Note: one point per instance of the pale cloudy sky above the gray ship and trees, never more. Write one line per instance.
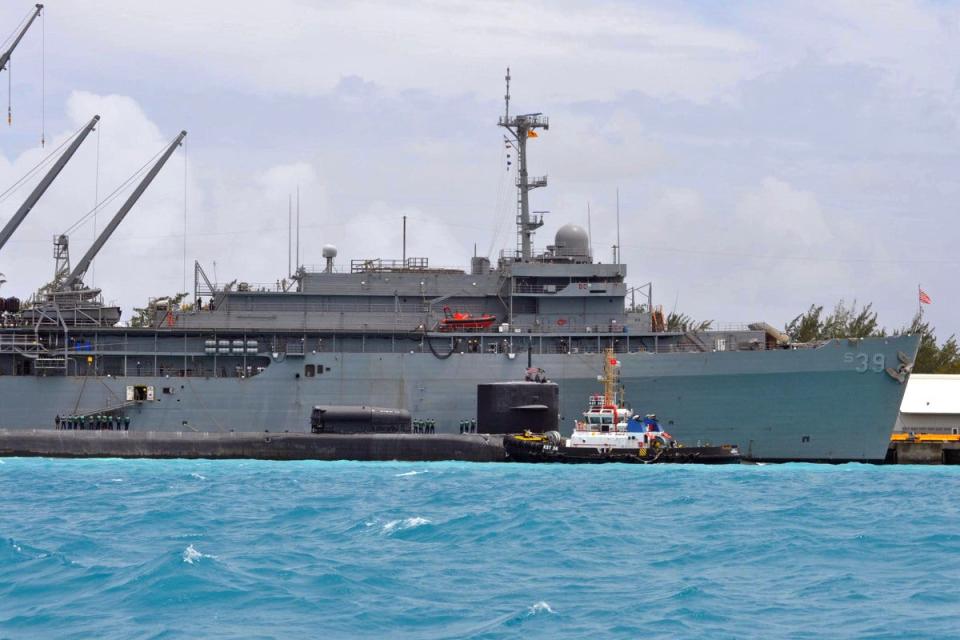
(768, 156)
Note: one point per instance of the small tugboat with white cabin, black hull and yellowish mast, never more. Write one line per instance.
(610, 432)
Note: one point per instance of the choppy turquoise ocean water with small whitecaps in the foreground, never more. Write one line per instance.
(247, 549)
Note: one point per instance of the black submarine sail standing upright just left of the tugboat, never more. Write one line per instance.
(513, 407)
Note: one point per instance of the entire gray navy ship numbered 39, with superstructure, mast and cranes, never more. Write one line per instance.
(402, 333)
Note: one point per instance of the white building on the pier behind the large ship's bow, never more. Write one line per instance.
(931, 404)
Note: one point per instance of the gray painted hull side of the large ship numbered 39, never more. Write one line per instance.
(833, 403)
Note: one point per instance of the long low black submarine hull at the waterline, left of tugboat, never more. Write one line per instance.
(252, 445)
